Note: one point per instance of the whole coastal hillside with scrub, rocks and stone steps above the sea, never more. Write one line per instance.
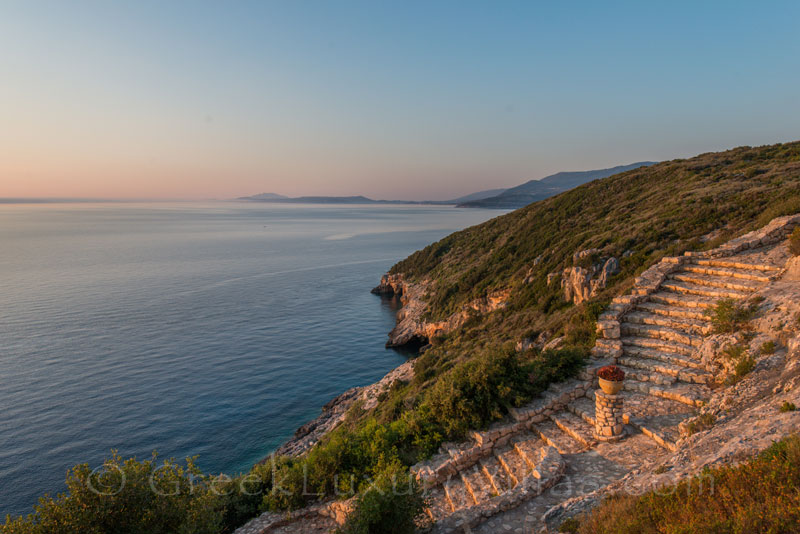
(496, 416)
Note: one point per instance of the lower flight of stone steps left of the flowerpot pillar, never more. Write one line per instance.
(509, 463)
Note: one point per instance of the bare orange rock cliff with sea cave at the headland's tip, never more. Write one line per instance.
(414, 332)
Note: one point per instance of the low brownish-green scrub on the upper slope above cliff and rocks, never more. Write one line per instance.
(626, 212)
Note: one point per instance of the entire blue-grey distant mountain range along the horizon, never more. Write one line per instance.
(515, 197)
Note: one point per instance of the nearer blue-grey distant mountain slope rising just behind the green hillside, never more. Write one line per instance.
(533, 190)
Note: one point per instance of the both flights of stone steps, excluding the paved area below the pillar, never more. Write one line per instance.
(654, 336)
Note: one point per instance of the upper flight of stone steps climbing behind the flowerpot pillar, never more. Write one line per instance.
(660, 332)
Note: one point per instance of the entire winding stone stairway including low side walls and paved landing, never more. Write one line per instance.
(507, 477)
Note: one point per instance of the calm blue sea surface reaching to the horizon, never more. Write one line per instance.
(209, 329)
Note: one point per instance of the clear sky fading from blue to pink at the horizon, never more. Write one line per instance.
(390, 99)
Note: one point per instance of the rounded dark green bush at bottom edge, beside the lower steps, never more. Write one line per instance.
(392, 506)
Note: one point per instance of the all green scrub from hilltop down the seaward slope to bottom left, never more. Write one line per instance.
(472, 376)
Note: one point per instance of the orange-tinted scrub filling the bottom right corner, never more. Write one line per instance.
(762, 495)
